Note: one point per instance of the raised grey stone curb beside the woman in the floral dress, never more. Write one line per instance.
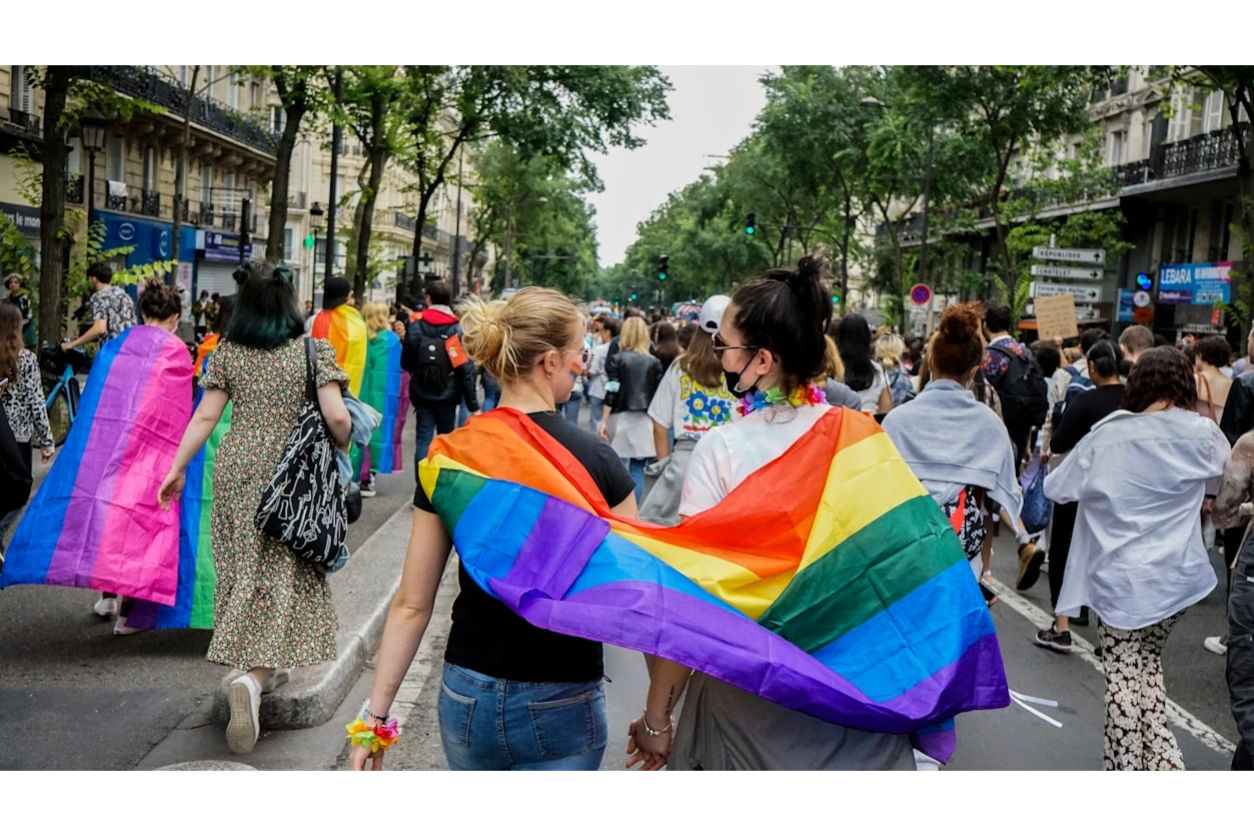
(363, 593)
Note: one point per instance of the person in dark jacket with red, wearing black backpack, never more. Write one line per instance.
(441, 374)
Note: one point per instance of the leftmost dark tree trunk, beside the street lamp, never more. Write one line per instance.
(52, 212)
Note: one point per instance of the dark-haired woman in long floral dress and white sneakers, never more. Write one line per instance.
(273, 611)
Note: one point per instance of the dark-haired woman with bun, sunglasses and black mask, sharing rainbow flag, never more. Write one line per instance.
(772, 347)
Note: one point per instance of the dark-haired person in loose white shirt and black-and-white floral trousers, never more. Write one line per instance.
(1137, 558)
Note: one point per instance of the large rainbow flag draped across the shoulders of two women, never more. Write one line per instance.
(841, 591)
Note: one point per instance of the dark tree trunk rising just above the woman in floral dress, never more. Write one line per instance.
(300, 93)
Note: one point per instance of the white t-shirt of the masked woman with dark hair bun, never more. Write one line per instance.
(729, 454)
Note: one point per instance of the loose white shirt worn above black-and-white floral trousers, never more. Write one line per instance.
(1137, 556)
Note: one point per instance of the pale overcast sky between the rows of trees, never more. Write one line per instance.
(713, 108)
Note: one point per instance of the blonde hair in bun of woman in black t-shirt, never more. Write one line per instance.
(508, 339)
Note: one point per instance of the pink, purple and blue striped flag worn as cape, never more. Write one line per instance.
(95, 523)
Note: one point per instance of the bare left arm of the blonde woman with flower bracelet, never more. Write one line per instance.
(408, 617)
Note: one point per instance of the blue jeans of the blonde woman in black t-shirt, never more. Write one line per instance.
(491, 726)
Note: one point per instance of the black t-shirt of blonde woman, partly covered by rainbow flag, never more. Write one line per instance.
(487, 636)
